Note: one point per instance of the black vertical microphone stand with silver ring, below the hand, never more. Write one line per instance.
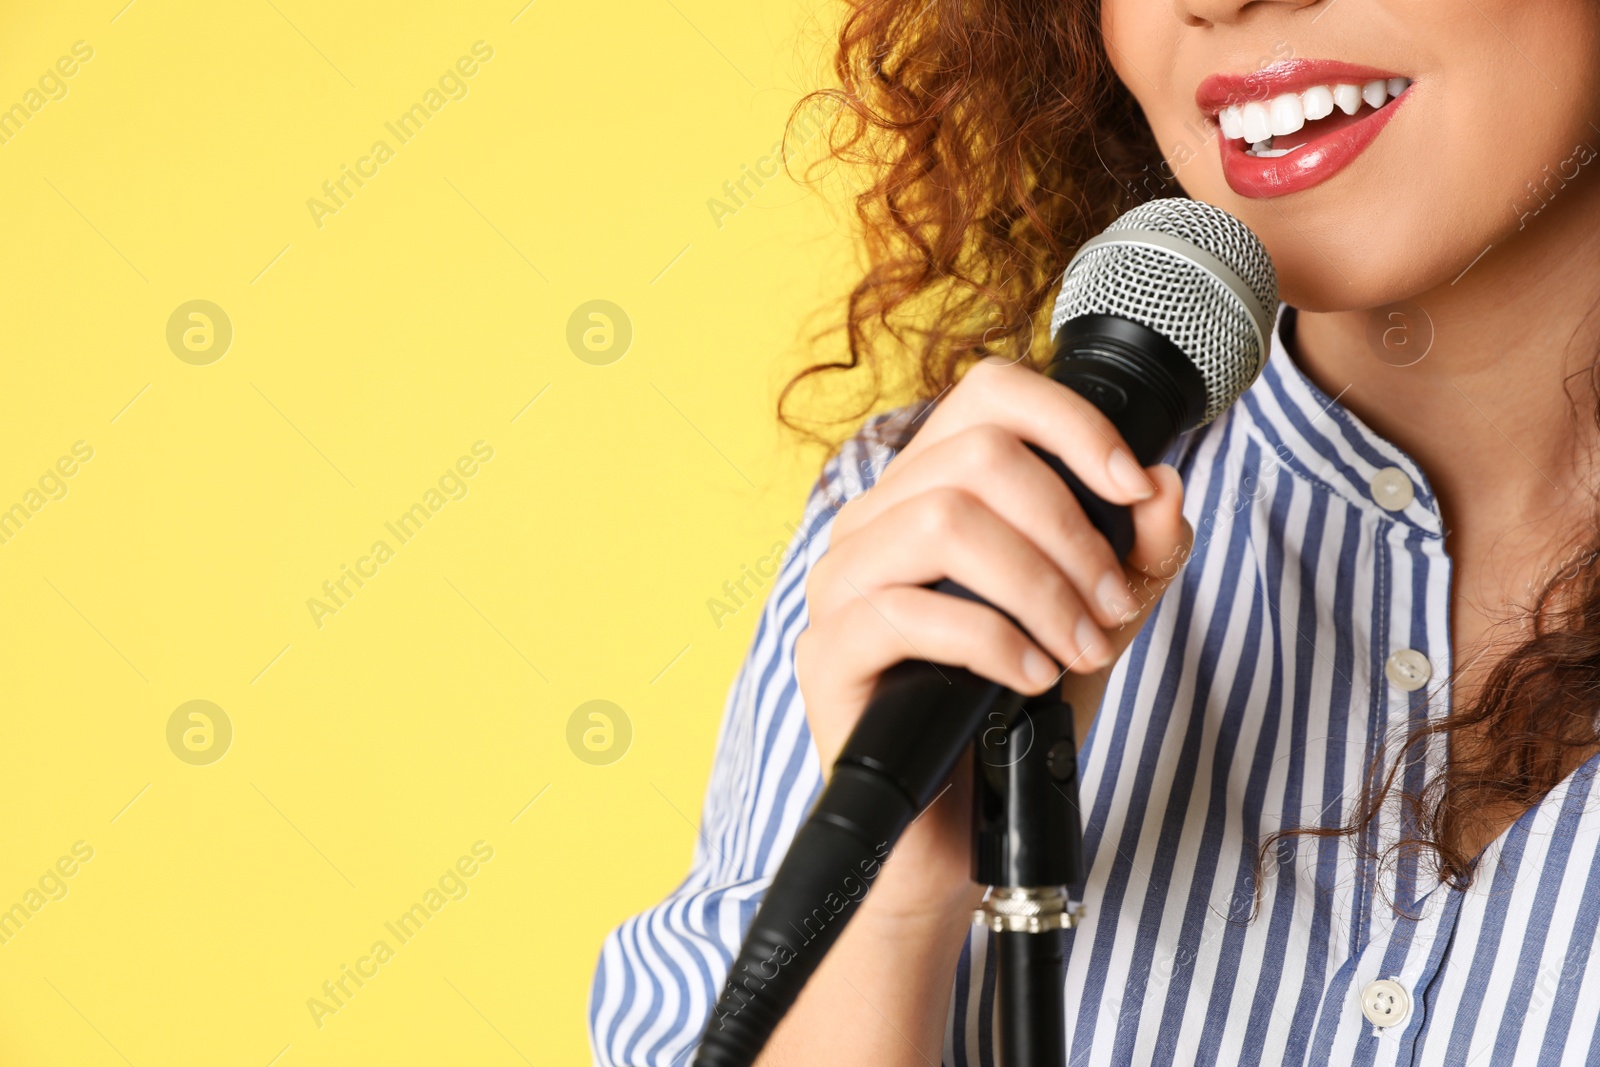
(1028, 845)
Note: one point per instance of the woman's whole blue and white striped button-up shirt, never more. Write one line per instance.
(1255, 698)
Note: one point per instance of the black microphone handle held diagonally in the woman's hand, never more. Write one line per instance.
(922, 716)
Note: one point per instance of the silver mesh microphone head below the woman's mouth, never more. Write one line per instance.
(1191, 273)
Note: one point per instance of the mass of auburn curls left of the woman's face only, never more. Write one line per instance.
(994, 138)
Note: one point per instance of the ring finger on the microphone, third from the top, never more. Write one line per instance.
(951, 533)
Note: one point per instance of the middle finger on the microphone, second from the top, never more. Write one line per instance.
(1015, 484)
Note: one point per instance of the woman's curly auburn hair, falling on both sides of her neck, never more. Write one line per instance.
(994, 138)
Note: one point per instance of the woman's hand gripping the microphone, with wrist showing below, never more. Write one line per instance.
(967, 500)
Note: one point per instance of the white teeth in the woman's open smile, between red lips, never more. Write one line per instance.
(1289, 122)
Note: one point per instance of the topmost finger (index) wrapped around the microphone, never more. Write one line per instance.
(1047, 414)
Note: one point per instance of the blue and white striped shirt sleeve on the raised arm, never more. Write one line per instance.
(660, 972)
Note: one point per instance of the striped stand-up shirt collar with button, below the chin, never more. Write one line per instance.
(1319, 439)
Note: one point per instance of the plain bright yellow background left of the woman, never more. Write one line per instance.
(369, 354)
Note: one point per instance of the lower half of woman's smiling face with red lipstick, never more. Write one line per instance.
(1407, 137)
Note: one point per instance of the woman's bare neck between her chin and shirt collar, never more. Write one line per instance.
(1484, 380)
